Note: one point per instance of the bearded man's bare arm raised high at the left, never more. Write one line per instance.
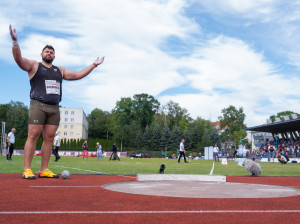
(23, 63)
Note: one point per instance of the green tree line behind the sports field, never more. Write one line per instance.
(140, 123)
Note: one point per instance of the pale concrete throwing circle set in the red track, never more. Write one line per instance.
(195, 189)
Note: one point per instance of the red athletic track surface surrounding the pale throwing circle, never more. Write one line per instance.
(18, 195)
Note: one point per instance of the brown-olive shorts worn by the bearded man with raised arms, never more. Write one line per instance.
(40, 113)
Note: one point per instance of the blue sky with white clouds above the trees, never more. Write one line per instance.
(205, 55)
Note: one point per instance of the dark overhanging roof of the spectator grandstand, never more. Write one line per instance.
(278, 127)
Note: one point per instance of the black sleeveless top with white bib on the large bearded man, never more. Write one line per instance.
(46, 85)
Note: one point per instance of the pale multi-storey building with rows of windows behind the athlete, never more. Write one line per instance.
(73, 124)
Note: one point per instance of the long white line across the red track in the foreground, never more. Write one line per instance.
(144, 212)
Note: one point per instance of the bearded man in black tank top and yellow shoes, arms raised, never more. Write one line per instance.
(45, 94)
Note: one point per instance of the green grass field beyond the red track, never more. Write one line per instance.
(145, 166)
